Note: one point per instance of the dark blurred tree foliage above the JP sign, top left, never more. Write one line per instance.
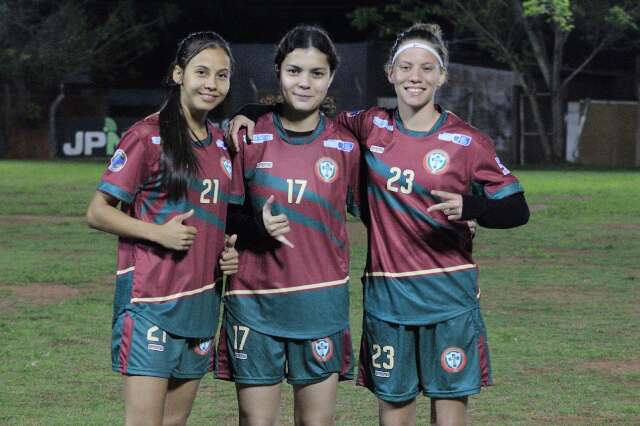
(45, 42)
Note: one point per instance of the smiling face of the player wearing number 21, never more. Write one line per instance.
(204, 82)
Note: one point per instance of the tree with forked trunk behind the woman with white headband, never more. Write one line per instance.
(529, 36)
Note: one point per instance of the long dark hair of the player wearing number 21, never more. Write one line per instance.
(179, 162)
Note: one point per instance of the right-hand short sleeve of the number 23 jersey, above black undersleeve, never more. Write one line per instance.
(490, 177)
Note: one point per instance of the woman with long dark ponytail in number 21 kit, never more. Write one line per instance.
(171, 175)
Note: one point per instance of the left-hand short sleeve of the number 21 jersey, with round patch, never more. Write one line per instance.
(128, 168)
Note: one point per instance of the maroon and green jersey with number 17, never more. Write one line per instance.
(299, 292)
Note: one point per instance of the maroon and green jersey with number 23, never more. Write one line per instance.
(419, 268)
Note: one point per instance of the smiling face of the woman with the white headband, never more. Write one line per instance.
(416, 76)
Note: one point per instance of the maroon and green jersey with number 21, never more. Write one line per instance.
(178, 291)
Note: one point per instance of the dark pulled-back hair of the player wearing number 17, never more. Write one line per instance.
(304, 37)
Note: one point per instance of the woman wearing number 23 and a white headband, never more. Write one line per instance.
(427, 173)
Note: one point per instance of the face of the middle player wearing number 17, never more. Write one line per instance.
(305, 77)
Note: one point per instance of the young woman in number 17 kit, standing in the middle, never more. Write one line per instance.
(285, 315)
